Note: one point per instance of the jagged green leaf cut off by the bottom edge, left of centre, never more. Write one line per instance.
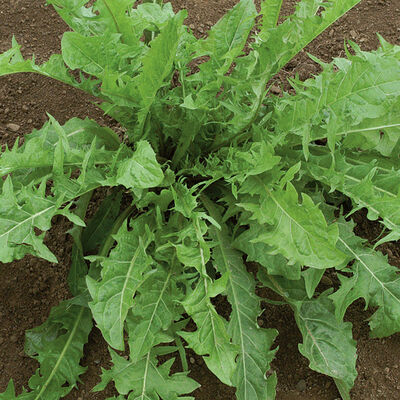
(146, 379)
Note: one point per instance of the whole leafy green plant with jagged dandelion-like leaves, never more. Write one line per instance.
(211, 172)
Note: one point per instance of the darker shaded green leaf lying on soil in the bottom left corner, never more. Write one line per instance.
(58, 346)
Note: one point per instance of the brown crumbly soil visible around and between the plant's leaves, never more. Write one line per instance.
(30, 287)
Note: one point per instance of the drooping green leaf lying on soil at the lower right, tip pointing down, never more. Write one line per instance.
(327, 341)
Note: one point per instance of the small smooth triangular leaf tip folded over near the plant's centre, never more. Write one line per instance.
(142, 170)
